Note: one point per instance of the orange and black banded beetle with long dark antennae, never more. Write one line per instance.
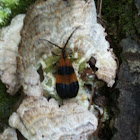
(67, 85)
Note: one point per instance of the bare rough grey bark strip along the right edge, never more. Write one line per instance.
(127, 122)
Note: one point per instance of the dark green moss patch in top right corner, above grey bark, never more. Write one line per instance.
(122, 18)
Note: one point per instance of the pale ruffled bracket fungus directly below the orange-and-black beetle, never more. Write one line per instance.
(39, 119)
